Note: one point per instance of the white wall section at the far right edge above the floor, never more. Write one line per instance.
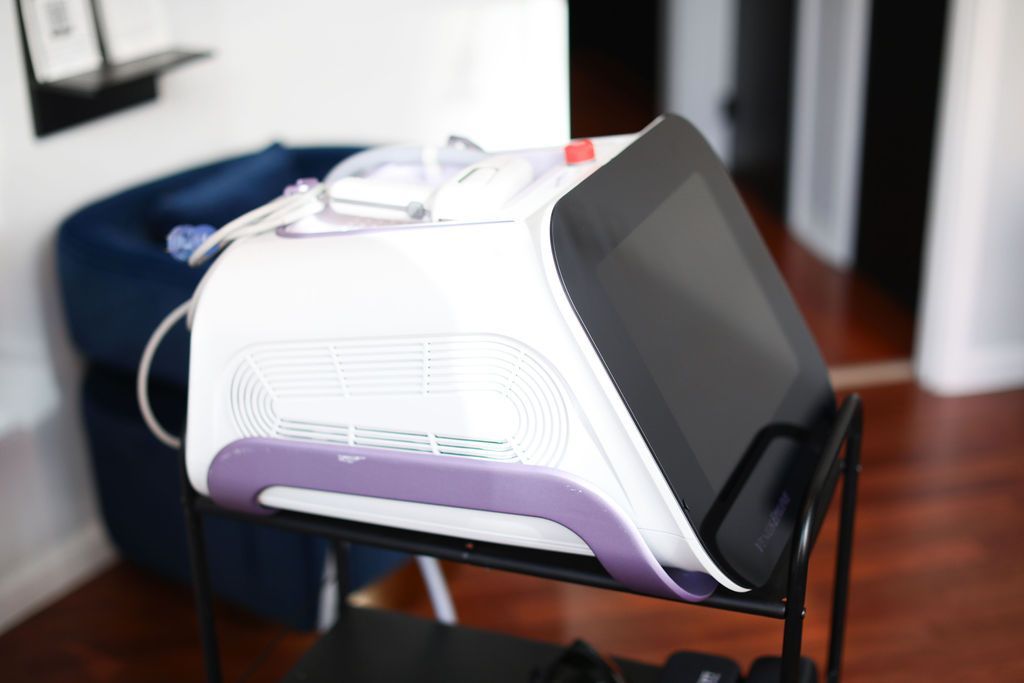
(971, 330)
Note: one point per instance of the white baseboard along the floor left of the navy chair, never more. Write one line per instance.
(59, 571)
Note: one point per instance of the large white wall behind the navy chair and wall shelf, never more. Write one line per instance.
(303, 72)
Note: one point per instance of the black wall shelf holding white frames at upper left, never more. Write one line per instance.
(69, 102)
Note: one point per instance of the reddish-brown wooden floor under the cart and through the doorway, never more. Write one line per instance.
(938, 574)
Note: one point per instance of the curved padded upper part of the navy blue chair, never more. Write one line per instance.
(118, 283)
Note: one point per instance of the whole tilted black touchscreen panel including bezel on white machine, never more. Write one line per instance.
(701, 336)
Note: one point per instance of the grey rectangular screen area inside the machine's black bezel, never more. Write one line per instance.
(702, 325)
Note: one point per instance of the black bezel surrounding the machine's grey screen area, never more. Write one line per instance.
(588, 223)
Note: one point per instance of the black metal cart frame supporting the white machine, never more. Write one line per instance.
(363, 645)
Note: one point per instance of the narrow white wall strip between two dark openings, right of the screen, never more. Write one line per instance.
(830, 87)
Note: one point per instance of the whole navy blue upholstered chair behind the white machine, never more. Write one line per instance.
(118, 284)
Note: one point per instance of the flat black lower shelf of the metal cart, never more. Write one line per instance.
(372, 646)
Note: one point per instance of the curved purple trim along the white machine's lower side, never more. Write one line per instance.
(244, 468)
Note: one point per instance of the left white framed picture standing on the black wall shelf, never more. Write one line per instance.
(62, 37)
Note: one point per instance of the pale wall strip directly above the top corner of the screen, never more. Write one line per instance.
(700, 66)
